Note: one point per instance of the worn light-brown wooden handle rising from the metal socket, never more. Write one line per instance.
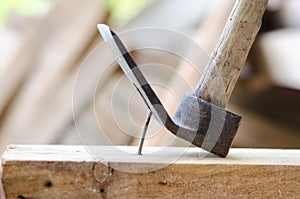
(229, 55)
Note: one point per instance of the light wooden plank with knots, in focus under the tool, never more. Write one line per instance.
(72, 172)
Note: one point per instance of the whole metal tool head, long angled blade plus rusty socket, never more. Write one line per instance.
(196, 121)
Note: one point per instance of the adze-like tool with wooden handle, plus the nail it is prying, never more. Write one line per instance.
(201, 117)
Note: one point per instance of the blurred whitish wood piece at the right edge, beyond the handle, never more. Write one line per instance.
(281, 49)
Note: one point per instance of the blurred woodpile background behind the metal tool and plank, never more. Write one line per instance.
(43, 43)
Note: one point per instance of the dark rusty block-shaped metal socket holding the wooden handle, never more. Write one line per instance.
(214, 126)
